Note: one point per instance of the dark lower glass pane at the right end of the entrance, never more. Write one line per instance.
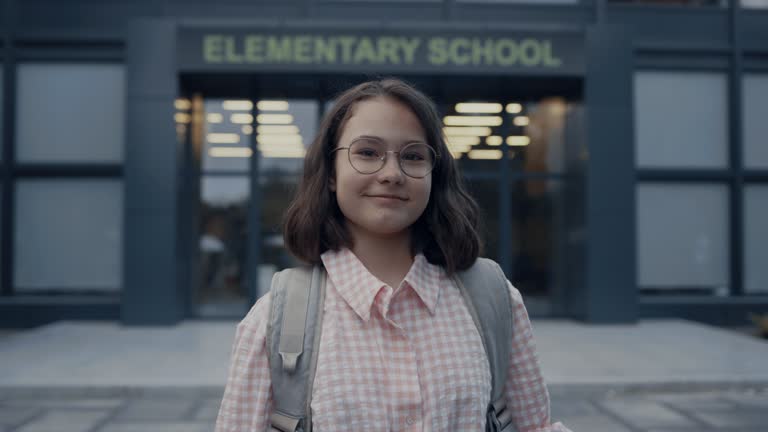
(537, 229)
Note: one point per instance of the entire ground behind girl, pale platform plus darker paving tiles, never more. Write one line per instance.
(655, 376)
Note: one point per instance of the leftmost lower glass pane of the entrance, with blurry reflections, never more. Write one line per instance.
(223, 239)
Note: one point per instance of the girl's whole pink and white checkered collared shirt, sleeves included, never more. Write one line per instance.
(405, 359)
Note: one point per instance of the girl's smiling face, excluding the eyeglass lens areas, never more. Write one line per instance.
(387, 202)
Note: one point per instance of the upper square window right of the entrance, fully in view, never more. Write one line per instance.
(681, 120)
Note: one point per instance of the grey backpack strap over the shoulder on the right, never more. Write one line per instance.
(484, 289)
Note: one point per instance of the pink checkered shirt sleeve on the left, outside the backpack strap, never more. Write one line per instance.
(247, 399)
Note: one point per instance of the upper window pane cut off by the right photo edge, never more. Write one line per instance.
(755, 126)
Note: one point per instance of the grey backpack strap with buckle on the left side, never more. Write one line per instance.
(294, 328)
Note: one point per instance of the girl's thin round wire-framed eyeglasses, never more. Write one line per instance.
(369, 156)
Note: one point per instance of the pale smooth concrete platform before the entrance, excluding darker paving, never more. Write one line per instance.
(661, 354)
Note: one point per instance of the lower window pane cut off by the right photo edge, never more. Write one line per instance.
(755, 239)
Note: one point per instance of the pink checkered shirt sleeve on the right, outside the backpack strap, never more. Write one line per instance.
(526, 392)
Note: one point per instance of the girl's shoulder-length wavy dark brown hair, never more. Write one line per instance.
(446, 233)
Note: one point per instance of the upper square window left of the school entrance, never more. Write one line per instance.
(70, 113)
